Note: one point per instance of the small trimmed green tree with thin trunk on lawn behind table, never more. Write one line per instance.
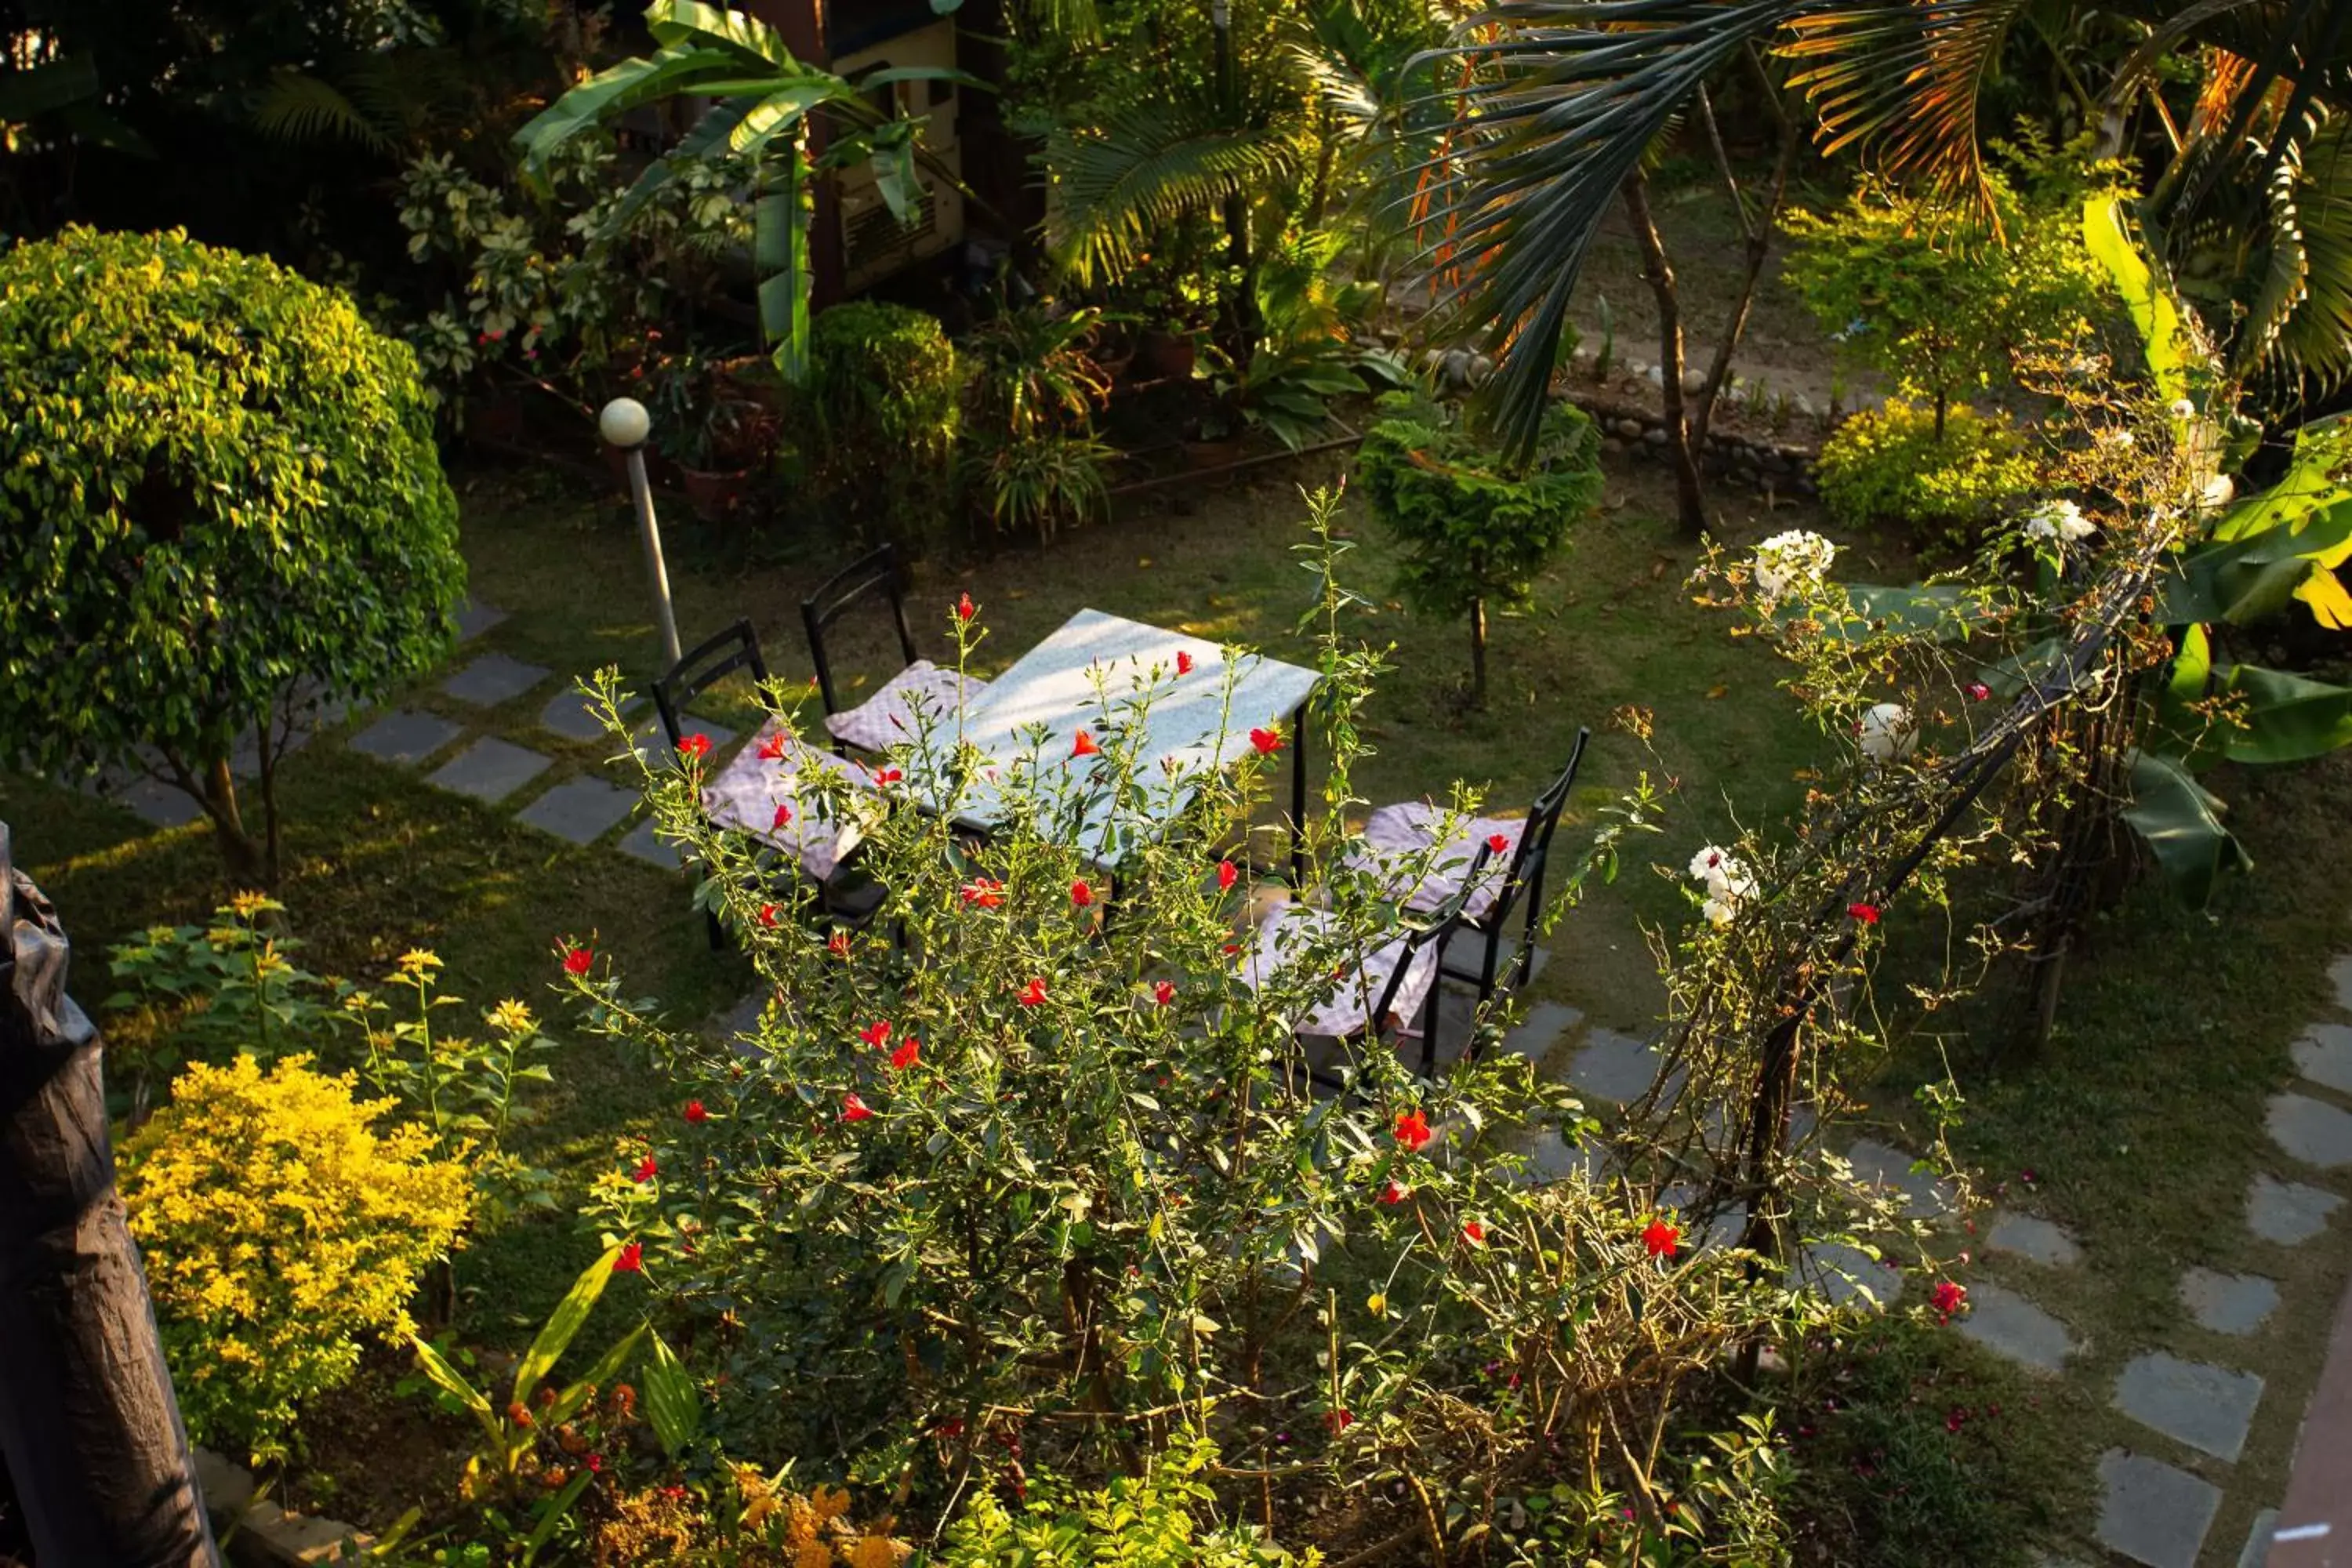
(1471, 528)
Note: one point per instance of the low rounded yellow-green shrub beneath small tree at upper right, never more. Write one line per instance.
(1890, 467)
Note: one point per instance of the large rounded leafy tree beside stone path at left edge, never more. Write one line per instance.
(220, 502)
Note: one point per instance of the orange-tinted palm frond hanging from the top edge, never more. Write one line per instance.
(1902, 81)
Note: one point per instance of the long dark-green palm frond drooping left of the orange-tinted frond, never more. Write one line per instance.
(1570, 98)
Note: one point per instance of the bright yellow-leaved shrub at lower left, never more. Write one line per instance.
(279, 1226)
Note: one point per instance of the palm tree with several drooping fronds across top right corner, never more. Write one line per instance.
(2250, 210)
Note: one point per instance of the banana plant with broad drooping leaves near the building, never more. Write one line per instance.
(763, 105)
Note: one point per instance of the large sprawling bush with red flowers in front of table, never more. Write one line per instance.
(1027, 1174)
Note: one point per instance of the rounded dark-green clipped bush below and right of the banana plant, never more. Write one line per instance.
(883, 403)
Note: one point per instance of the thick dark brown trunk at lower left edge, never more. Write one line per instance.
(88, 1426)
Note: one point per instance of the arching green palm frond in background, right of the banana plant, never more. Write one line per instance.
(1142, 173)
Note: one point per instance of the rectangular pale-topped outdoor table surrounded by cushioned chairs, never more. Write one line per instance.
(1107, 674)
